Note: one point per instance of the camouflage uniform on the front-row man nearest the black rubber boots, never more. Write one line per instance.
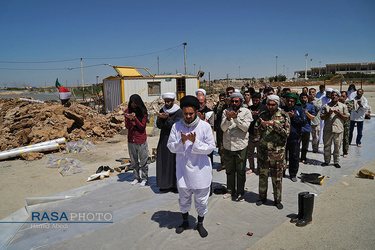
(271, 156)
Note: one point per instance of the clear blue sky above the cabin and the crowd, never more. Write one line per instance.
(239, 38)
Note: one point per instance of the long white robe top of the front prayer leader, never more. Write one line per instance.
(193, 166)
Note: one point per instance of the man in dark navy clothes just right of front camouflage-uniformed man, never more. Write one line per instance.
(298, 120)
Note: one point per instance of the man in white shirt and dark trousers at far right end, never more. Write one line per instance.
(357, 116)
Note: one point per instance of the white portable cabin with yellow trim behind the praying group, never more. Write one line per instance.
(136, 80)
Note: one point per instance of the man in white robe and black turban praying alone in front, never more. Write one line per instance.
(192, 140)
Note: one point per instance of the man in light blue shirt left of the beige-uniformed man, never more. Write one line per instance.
(306, 129)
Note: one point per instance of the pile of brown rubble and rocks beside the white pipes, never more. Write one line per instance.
(24, 123)
